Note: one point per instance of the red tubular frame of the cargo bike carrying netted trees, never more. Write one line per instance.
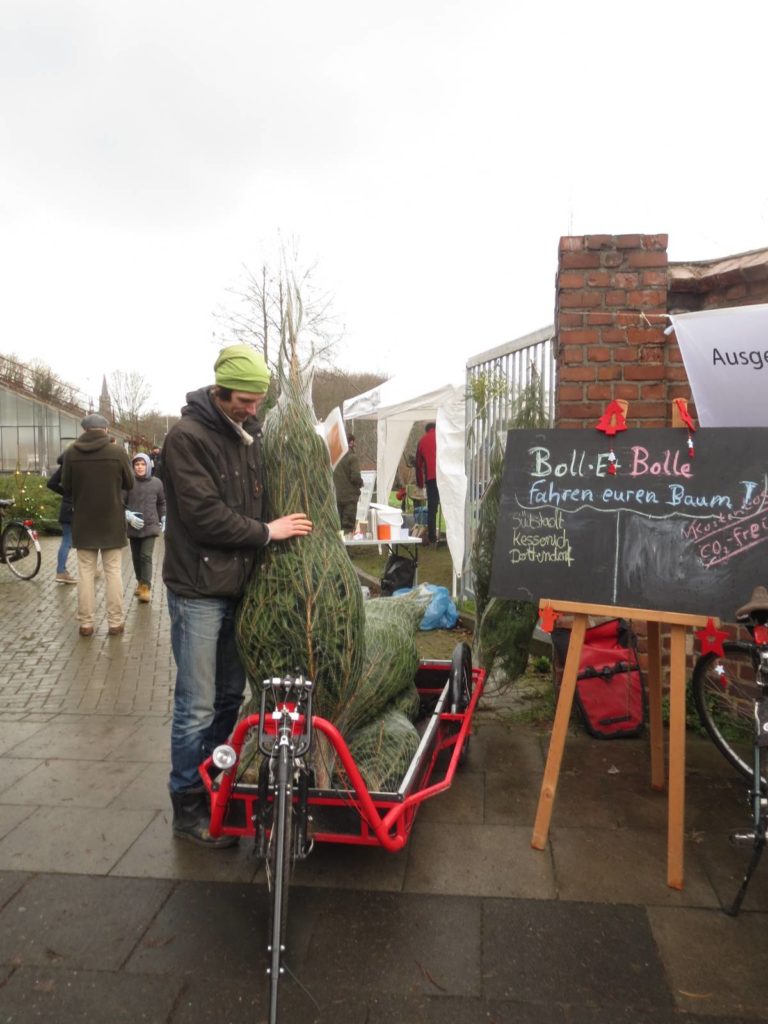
(388, 829)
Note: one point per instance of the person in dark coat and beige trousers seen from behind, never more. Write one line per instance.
(95, 476)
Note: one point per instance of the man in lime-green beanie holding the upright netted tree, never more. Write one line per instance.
(212, 474)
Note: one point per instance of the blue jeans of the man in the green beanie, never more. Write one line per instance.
(210, 681)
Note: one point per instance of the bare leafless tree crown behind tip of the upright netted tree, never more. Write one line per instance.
(259, 315)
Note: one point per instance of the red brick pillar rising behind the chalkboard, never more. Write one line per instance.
(612, 290)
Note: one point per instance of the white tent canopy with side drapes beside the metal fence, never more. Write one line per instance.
(398, 405)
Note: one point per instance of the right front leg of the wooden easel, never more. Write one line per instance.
(676, 823)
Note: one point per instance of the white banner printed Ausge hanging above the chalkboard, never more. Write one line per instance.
(726, 353)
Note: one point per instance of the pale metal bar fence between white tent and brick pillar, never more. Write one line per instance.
(495, 381)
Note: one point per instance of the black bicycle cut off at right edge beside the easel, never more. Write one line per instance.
(732, 698)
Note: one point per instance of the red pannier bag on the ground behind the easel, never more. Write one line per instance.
(610, 692)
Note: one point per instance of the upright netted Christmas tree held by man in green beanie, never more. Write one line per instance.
(304, 608)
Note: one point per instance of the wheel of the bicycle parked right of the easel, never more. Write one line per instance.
(724, 692)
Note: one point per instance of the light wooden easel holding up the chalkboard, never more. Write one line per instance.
(676, 796)
